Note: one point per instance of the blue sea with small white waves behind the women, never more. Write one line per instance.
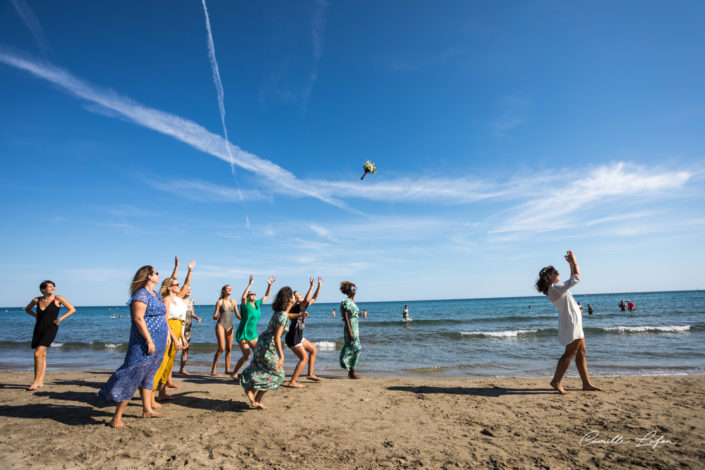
(464, 338)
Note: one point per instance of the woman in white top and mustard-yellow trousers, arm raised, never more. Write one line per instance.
(173, 296)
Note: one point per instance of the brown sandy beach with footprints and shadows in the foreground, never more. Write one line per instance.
(653, 422)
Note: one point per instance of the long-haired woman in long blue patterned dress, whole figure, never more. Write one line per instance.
(148, 340)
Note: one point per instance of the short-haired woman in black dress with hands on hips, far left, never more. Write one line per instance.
(46, 327)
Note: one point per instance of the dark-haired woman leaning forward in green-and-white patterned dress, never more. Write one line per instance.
(266, 371)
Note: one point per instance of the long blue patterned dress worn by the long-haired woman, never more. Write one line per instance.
(139, 368)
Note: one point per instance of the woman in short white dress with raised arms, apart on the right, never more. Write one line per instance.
(570, 322)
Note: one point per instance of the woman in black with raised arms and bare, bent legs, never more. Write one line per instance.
(304, 350)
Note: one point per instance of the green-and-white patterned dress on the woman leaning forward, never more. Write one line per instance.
(261, 374)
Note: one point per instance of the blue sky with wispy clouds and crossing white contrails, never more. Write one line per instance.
(504, 134)
